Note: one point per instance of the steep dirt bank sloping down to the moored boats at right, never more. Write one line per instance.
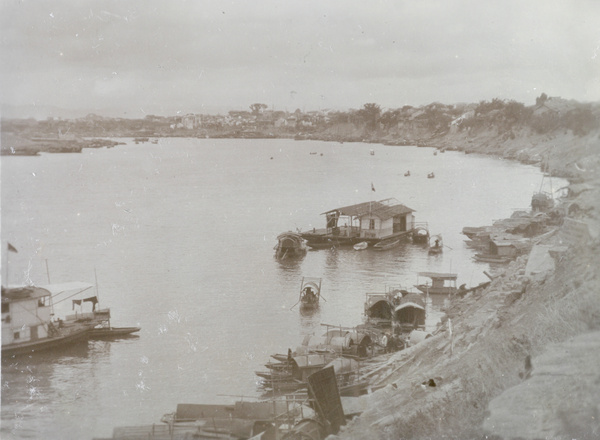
(511, 339)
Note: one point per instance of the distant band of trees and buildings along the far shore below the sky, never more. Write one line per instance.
(370, 121)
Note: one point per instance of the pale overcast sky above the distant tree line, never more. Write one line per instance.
(163, 57)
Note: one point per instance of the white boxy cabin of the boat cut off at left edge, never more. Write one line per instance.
(26, 314)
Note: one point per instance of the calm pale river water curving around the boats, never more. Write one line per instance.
(180, 235)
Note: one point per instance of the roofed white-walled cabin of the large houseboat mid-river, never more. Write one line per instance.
(370, 220)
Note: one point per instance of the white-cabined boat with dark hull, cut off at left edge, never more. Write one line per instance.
(27, 324)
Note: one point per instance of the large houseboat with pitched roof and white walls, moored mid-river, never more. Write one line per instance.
(370, 222)
